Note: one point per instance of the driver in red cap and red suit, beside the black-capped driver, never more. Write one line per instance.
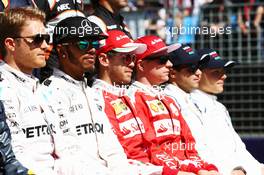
(116, 60)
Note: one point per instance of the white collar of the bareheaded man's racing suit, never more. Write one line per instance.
(27, 80)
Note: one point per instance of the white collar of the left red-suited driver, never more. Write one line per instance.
(102, 85)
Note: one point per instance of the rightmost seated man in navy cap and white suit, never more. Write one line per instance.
(226, 147)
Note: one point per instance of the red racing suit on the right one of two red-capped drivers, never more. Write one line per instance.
(172, 142)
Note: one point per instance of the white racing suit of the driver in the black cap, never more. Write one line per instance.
(84, 140)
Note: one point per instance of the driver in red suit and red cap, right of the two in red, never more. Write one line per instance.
(165, 128)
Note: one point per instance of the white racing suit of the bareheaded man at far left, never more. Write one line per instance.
(31, 139)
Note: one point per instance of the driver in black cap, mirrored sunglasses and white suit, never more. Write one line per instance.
(85, 142)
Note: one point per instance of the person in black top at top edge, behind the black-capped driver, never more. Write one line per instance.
(109, 13)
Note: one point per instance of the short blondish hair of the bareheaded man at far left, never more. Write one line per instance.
(13, 20)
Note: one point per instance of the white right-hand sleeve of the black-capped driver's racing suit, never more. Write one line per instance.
(111, 150)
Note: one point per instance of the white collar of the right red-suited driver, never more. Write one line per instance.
(157, 91)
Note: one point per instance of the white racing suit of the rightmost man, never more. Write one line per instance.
(228, 149)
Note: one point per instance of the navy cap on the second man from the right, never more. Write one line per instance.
(185, 55)
